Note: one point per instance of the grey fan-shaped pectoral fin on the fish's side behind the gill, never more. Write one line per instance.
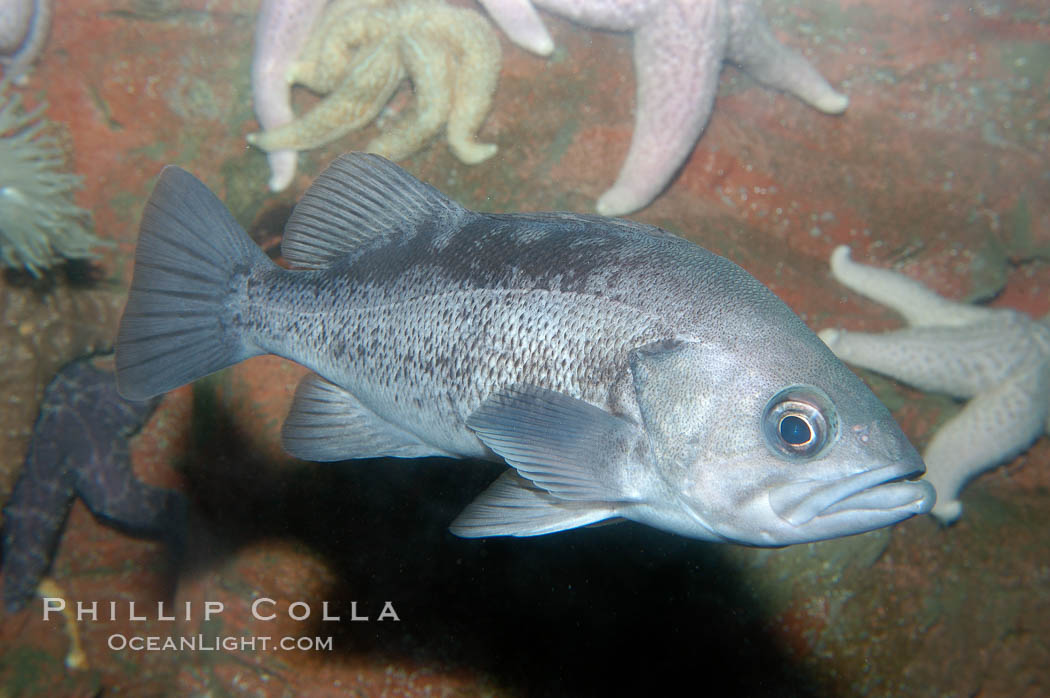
(565, 447)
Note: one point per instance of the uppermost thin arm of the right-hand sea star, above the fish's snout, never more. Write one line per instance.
(919, 306)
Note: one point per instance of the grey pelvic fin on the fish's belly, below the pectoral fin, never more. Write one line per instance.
(515, 506)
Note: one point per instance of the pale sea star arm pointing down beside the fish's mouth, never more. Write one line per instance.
(993, 429)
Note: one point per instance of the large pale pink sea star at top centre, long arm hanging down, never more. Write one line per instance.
(680, 47)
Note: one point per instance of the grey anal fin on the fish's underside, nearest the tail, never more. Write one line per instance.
(328, 424)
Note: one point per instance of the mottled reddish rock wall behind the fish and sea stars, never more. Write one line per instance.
(939, 168)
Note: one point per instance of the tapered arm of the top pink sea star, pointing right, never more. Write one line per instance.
(754, 49)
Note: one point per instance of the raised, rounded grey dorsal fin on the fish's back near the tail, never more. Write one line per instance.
(361, 199)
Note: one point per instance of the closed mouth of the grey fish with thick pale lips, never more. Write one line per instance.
(865, 501)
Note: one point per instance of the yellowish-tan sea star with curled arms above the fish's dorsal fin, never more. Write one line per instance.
(360, 53)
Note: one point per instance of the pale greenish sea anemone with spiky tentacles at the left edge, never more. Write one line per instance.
(40, 226)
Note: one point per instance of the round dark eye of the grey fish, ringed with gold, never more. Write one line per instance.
(799, 422)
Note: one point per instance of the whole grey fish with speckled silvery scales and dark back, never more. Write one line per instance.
(621, 371)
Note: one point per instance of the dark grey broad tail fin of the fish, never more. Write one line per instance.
(173, 331)
